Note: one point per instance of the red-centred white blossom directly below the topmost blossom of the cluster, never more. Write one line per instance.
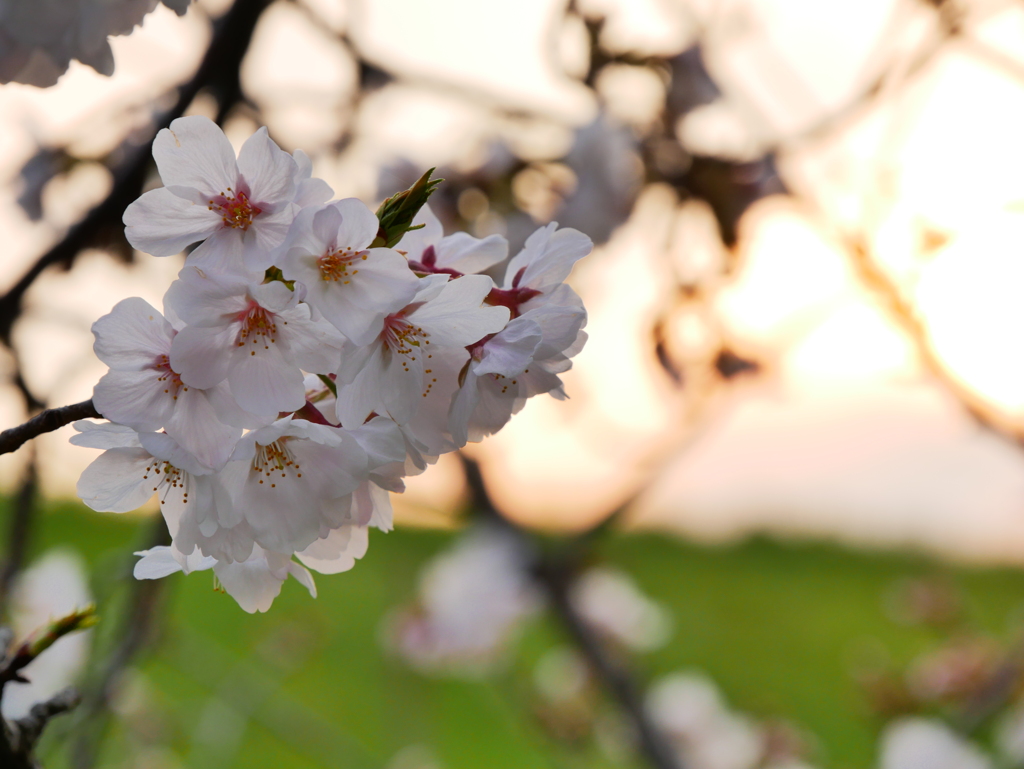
(257, 335)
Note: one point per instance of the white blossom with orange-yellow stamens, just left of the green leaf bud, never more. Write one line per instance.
(352, 285)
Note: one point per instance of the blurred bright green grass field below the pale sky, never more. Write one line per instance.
(777, 626)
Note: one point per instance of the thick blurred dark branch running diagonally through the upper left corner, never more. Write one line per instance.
(218, 71)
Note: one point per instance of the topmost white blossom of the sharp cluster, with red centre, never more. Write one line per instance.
(241, 208)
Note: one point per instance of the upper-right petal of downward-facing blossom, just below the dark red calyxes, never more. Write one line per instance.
(456, 318)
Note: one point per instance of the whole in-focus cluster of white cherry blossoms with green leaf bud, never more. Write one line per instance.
(310, 356)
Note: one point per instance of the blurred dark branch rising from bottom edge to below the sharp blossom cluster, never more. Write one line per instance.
(556, 575)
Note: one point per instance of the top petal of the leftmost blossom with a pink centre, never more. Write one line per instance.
(133, 335)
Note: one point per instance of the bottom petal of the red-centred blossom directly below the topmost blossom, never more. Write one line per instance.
(267, 383)
